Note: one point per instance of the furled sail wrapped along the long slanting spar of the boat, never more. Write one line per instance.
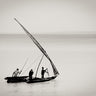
(55, 71)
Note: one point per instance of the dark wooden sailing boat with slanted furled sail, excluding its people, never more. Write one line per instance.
(36, 79)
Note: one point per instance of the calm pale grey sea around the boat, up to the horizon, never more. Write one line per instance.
(74, 56)
